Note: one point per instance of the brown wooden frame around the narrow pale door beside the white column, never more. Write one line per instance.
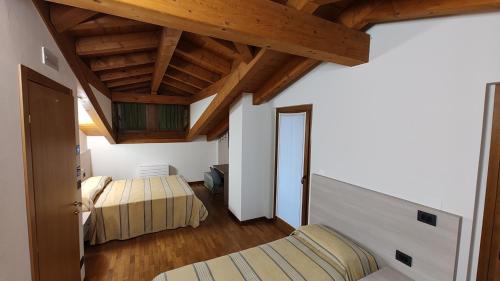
(305, 108)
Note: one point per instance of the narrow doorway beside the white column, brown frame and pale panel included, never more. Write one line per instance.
(292, 154)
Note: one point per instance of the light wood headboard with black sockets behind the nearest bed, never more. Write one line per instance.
(385, 224)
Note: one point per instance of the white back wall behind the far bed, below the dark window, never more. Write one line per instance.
(190, 159)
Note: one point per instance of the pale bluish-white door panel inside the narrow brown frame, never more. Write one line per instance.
(290, 167)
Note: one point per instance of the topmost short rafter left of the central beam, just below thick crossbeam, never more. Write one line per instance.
(105, 45)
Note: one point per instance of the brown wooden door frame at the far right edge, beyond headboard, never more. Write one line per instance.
(492, 191)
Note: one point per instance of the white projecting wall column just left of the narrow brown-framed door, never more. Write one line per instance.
(250, 159)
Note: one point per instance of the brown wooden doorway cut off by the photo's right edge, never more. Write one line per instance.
(489, 256)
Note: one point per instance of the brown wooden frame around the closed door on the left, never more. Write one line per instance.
(26, 75)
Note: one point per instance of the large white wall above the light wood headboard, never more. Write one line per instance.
(408, 123)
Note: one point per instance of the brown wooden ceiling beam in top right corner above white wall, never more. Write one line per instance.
(368, 12)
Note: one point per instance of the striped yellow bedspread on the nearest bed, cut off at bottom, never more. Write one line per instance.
(312, 252)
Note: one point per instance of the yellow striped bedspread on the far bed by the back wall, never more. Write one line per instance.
(130, 208)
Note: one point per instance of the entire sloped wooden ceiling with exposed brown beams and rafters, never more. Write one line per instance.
(144, 52)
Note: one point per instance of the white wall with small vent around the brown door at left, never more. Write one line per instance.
(23, 33)
